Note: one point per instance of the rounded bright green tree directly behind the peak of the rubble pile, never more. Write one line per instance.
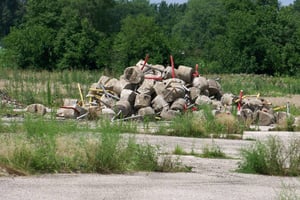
(140, 36)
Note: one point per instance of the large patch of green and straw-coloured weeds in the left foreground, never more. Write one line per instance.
(50, 146)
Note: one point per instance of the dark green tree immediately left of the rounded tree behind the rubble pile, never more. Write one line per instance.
(76, 42)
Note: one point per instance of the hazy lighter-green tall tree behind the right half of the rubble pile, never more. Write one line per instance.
(203, 21)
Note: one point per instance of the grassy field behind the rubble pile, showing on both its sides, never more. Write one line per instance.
(49, 88)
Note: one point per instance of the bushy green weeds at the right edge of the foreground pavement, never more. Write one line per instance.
(272, 157)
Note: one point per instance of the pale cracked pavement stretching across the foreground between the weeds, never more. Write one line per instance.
(210, 179)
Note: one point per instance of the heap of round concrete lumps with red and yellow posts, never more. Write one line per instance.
(146, 90)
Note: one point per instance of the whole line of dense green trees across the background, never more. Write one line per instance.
(223, 36)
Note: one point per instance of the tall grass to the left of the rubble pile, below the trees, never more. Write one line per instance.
(48, 88)
